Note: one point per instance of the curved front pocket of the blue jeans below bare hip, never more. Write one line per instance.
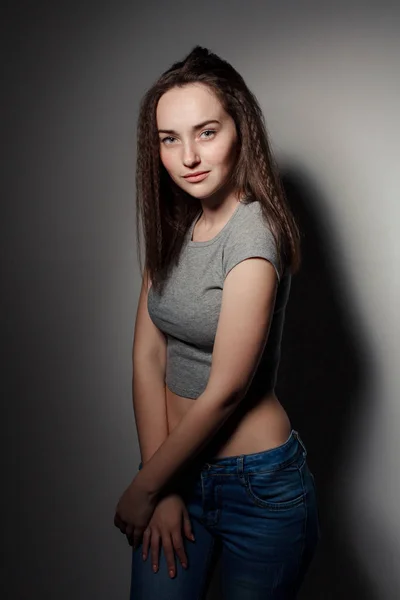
(279, 489)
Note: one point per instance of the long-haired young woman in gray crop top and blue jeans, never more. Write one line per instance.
(220, 459)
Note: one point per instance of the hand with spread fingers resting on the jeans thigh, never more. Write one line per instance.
(166, 524)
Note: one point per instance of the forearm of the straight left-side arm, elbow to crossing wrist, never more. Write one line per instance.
(149, 405)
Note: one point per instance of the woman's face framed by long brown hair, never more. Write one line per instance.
(196, 134)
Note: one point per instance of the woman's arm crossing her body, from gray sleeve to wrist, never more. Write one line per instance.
(247, 305)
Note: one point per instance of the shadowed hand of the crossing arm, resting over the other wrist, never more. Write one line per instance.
(134, 510)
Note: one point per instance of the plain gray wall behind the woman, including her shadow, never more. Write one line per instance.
(326, 75)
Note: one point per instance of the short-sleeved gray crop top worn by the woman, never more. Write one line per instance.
(188, 310)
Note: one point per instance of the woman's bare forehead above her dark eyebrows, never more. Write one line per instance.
(187, 105)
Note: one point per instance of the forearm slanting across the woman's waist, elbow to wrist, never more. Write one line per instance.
(195, 430)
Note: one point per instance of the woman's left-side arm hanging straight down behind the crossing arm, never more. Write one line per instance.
(148, 379)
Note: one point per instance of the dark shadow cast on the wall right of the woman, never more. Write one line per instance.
(321, 377)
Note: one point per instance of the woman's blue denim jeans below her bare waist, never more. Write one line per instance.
(257, 513)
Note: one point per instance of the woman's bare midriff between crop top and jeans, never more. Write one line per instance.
(261, 425)
